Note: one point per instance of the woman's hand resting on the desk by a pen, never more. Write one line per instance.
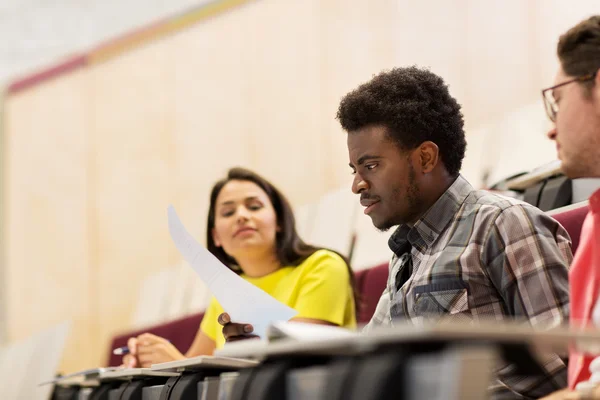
(148, 349)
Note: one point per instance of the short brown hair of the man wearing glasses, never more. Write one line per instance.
(579, 49)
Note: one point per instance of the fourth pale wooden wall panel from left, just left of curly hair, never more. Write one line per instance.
(289, 145)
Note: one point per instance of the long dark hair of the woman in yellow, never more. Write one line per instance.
(291, 249)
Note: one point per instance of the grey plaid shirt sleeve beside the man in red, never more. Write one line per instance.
(526, 255)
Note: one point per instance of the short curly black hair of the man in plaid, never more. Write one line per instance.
(415, 105)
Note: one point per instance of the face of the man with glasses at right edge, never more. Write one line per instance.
(577, 128)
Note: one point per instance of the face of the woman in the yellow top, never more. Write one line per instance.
(245, 221)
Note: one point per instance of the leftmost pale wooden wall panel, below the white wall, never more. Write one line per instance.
(47, 260)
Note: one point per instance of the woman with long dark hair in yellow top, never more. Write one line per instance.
(251, 228)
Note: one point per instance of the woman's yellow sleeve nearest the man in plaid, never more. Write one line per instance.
(325, 290)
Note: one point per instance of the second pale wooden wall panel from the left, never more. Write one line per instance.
(132, 139)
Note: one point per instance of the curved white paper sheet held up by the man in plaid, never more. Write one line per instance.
(244, 302)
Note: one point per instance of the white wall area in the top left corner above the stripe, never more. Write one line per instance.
(35, 33)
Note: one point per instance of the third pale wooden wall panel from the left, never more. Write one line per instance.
(209, 115)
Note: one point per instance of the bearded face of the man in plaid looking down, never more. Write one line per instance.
(383, 176)
